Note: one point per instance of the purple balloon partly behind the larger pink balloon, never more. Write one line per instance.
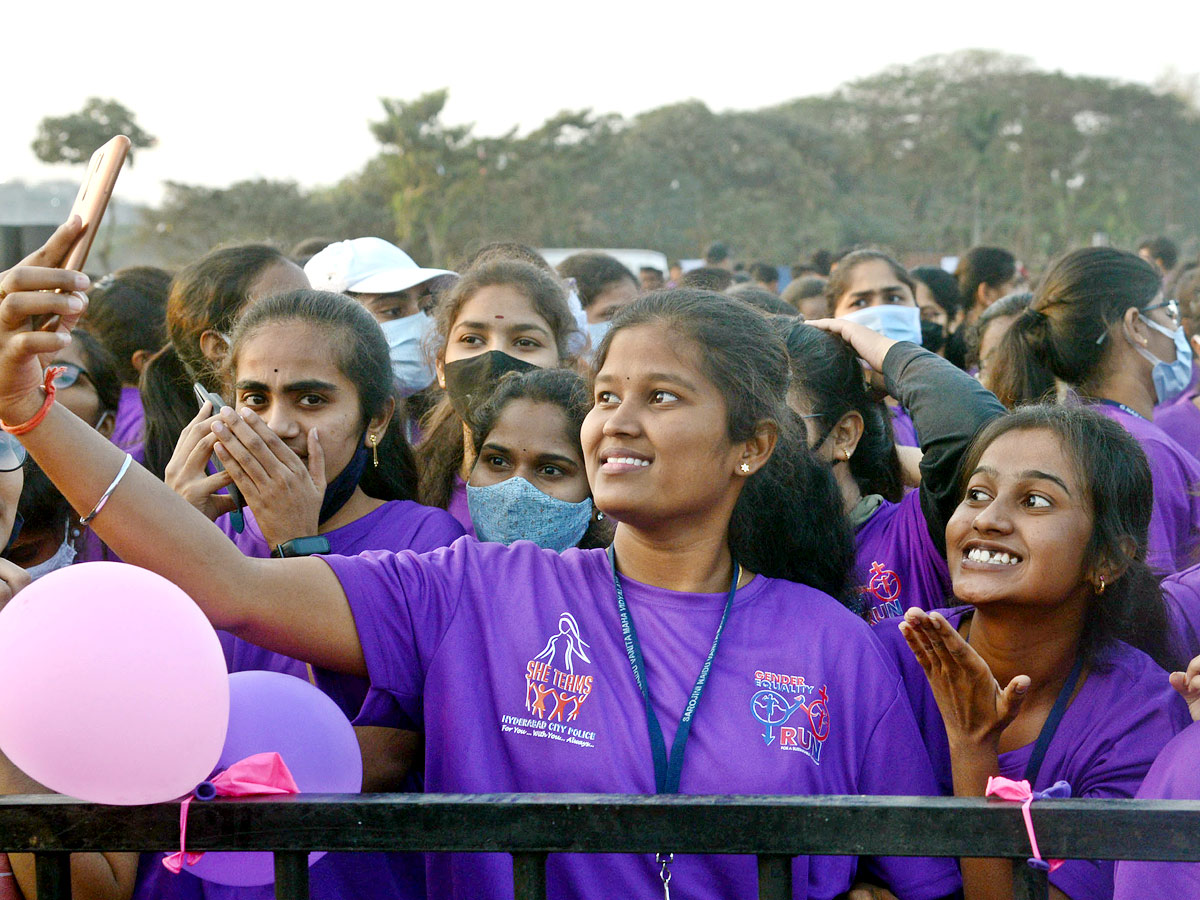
(272, 711)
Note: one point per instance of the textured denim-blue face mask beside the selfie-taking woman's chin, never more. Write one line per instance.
(515, 511)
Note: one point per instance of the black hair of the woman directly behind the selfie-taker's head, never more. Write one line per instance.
(827, 374)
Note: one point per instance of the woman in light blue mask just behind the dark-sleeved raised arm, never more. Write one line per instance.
(872, 289)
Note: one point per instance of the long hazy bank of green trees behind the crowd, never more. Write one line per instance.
(932, 158)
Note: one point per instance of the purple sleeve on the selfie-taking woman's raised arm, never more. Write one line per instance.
(403, 607)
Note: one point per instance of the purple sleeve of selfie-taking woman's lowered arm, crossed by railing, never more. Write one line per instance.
(896, 763)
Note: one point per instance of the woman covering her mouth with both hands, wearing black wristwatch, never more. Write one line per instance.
(326, 470)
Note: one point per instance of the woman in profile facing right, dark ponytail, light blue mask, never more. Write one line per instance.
(1101, 325)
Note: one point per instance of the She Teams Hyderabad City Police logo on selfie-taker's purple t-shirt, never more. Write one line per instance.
(555, 691)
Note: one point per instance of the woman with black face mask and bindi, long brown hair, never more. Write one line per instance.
(503, 316)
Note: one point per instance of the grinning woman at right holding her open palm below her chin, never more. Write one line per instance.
(1067, 625)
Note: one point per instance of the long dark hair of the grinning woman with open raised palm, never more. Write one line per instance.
(1115, 473)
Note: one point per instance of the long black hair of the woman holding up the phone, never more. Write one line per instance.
(789, 521)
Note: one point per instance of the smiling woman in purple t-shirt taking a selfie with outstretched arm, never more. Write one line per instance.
(532, 644)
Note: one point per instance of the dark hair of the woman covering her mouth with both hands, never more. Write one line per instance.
(361, 353)
